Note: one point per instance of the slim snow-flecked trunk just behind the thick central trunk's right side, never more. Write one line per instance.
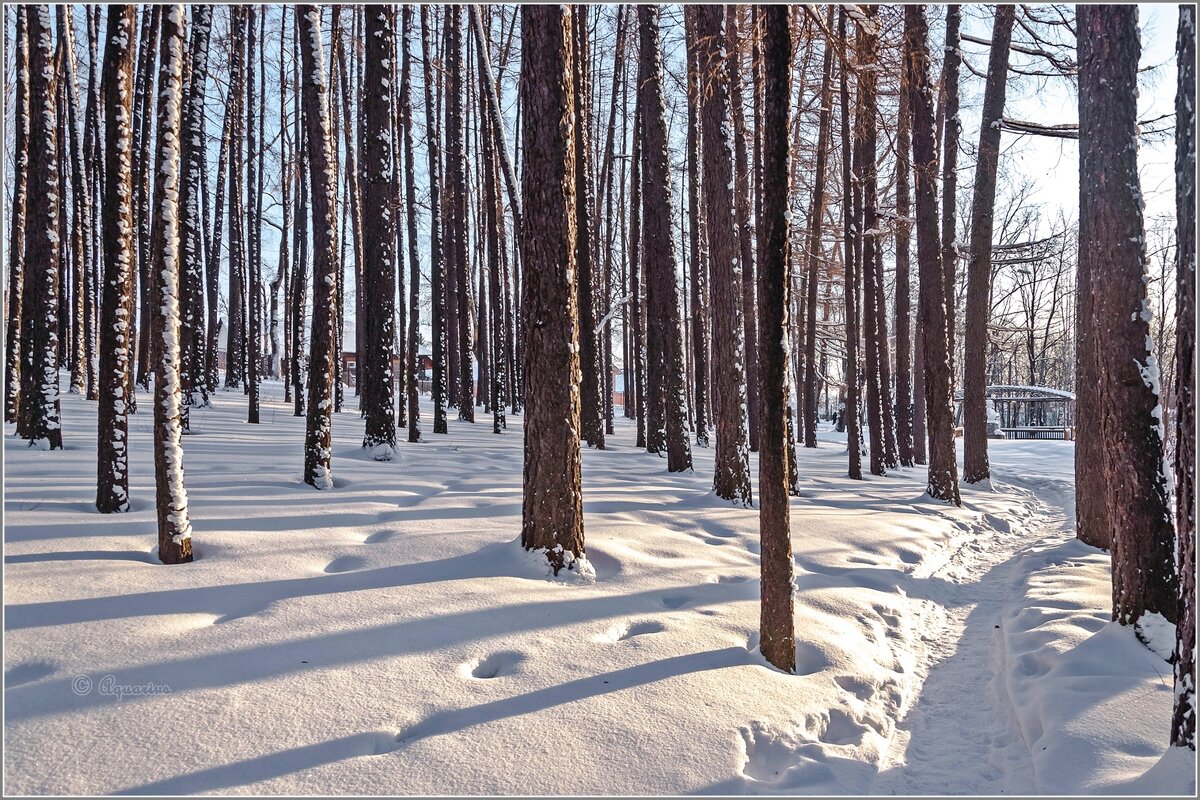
(591, 364)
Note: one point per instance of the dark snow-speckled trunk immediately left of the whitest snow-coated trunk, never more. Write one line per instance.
(117, 290)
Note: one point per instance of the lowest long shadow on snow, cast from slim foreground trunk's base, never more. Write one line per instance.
(376, 743)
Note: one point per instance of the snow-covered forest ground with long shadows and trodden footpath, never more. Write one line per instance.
(392, 637)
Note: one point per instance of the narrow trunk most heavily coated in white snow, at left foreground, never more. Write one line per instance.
(171, 498)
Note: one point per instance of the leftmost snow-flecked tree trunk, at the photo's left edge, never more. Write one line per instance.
(13, 378)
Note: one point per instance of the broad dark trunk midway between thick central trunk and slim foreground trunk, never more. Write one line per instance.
(663, 309)
